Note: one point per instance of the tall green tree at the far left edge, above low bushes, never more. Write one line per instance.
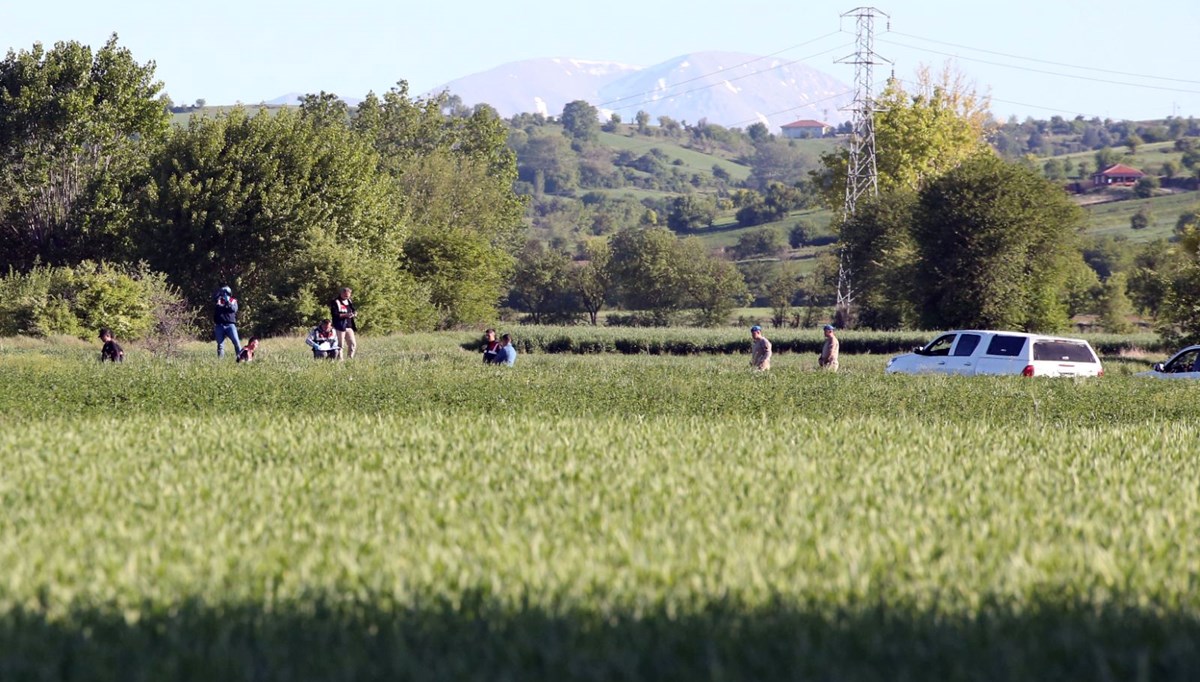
(76, 127)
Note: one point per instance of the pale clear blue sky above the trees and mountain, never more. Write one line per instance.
(1141, 57)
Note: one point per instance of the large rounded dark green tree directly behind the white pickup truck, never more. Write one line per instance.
(994, 247)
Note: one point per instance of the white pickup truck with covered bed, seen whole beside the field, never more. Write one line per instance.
(980, 352)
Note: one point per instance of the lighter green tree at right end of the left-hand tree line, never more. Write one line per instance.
(455, 176)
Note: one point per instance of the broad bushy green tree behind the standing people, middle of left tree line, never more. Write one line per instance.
(286, 210)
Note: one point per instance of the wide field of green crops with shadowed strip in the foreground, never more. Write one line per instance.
(416, 516)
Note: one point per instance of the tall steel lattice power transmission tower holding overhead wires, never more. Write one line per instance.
(861, 171)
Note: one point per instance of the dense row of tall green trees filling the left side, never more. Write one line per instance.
(411, 206)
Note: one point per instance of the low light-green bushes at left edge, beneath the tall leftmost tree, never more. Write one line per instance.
(80, 301)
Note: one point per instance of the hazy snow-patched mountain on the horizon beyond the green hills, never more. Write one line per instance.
(727, 88)
